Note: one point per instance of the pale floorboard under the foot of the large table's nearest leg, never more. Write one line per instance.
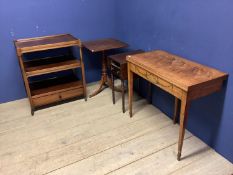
(163, 163)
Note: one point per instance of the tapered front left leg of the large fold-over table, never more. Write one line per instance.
(130, 86)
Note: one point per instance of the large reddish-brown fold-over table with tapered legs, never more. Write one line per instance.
(186, 80)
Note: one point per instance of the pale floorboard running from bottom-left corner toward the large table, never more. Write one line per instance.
(55, 159)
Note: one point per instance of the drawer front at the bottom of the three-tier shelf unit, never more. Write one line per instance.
(49, 99)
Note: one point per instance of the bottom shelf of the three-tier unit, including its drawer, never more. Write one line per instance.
(55, 90)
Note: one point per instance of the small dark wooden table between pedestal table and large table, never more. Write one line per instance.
(118, 67)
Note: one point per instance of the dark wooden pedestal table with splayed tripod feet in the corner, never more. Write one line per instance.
(103, 46)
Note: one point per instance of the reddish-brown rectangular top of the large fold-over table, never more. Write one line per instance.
(177, 70)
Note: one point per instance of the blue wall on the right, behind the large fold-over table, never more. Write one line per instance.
(201, 31)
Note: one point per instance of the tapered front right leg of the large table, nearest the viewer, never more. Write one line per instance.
(183, 120)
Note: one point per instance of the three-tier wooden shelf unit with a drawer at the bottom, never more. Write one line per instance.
(58, 88)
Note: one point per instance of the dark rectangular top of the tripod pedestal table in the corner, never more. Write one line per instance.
(104, 45)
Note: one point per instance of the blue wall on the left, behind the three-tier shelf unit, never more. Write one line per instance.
(85, 19)
